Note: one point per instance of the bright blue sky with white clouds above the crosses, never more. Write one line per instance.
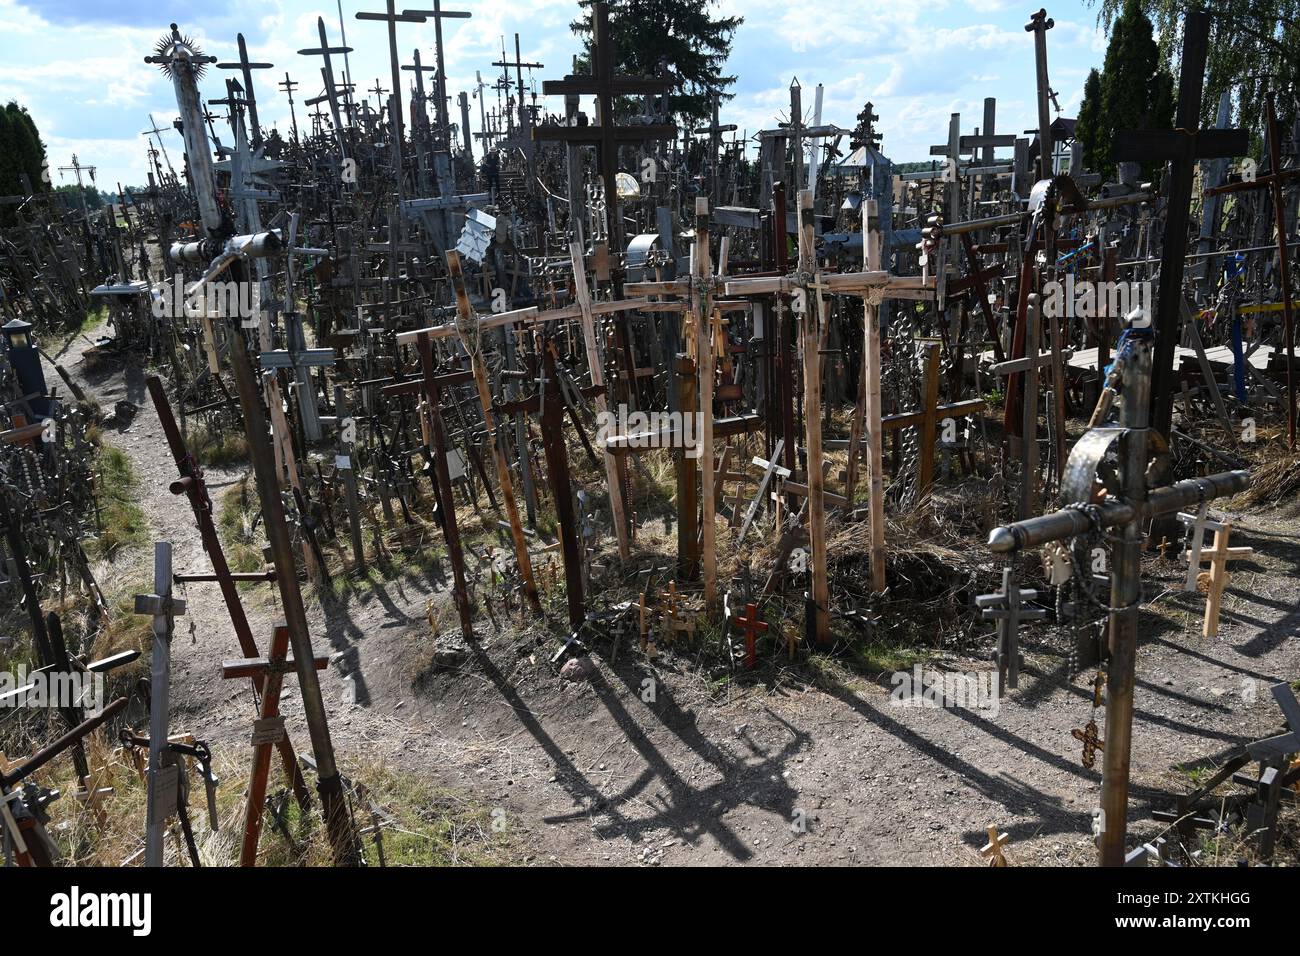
(79, 64)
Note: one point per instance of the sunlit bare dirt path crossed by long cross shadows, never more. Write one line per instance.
(608, 773)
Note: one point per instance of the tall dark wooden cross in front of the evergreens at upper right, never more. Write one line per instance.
(1181, 146)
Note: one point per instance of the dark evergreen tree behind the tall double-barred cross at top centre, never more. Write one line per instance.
(682, 34)
